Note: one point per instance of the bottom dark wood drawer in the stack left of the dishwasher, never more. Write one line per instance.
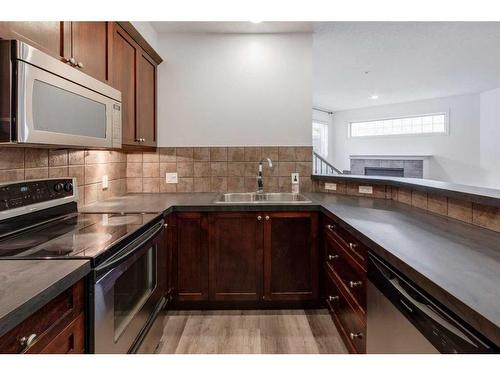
(350, 324)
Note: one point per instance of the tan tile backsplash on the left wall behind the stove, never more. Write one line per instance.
(88, 166)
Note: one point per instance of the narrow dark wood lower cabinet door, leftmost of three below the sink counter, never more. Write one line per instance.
(191, 257)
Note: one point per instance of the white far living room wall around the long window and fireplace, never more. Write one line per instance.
(455, 156)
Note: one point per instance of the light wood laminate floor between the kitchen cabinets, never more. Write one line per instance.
(250, 332)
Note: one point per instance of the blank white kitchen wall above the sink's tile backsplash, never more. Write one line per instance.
(235, 89)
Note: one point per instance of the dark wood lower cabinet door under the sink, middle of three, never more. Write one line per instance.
(235, 248)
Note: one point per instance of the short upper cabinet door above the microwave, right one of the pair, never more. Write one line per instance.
(89, 45)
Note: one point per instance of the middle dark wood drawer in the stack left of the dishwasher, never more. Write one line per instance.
(347, 271)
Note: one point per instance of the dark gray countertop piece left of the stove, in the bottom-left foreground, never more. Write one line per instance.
(27, 285)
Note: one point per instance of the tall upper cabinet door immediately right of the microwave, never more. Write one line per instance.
(123, 69)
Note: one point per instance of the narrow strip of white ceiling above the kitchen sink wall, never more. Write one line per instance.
(233, 27)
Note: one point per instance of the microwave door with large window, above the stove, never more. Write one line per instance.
(56, 111)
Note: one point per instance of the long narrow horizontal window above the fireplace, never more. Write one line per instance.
(426, 124)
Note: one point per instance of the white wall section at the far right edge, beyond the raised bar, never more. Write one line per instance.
(490, 138)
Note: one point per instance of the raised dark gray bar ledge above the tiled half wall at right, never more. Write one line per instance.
(474, 194)
